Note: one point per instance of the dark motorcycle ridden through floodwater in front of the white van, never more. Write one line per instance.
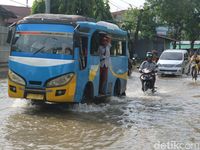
(147, 78)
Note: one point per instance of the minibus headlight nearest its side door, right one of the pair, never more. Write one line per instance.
(59, 81)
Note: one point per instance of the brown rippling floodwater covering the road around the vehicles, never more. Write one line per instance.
(169, 119)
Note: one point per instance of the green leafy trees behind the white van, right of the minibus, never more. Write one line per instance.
(181, 17)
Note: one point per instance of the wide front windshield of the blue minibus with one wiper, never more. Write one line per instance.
(43, 42)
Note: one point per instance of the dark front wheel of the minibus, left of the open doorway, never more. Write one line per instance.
(88, 94)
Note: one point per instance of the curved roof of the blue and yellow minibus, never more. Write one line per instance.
(73, 20)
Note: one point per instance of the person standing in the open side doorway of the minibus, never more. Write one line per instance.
(104, 52)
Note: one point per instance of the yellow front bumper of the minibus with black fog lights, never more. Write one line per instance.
(64, 93)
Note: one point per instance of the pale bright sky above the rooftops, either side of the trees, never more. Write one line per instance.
(115, 5)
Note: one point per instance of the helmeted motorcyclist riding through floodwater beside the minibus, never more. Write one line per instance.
(150, 65)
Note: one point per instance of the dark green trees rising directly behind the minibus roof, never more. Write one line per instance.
(97, 9)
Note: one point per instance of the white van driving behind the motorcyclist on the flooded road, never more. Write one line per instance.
(173, 62)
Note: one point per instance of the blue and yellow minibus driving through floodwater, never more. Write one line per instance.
(55, 58)
